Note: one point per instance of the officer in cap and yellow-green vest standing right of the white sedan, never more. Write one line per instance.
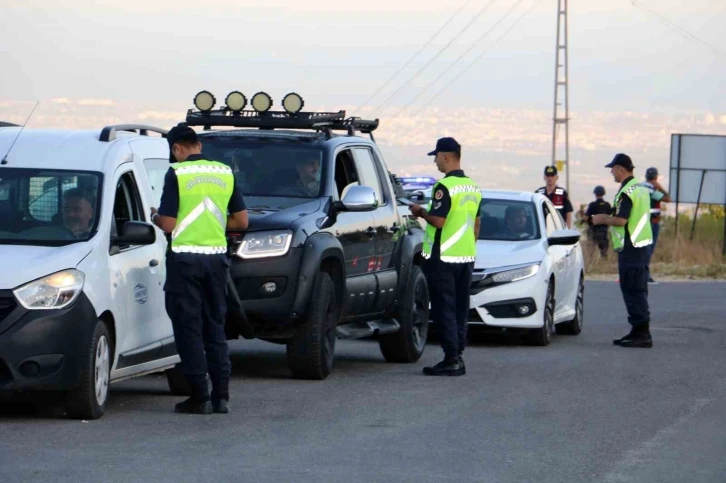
(631, 236)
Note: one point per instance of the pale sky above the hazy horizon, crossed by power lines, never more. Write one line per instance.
(333, 53)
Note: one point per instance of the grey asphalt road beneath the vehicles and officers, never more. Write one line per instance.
(580, 410)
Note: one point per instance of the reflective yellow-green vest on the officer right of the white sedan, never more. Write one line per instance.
(641, 233)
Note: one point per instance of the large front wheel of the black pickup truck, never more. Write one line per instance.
(311, 351)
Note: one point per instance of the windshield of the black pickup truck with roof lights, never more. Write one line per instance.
(269, 168)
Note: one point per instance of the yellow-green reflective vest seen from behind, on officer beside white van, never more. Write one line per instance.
(205, 188)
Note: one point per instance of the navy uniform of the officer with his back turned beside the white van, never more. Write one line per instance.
(195, 291)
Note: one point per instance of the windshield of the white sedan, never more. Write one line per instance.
(508, 220)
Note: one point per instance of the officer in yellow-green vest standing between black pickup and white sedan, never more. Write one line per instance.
(450, 251)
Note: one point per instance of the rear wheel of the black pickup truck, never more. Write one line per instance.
(408, 344)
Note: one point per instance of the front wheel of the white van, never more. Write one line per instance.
(88, 401)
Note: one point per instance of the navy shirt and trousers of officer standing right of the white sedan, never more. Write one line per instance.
(632, 265)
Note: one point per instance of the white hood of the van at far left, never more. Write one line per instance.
(25, 263)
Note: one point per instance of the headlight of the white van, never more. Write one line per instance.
(55, 291)
